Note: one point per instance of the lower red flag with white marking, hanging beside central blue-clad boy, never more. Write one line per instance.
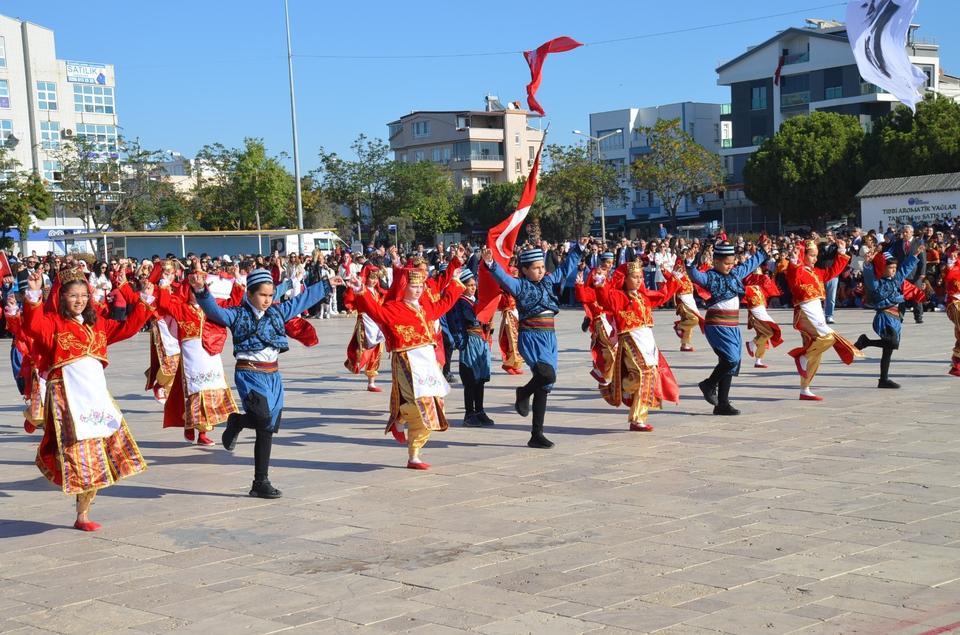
(501, 240)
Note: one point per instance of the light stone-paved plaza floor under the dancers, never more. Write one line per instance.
(837, 517)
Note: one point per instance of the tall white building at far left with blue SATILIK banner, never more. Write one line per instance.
(44, 100)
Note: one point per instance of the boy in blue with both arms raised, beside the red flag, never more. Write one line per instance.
(537, 305)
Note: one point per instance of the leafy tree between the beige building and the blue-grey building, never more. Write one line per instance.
(576, 182)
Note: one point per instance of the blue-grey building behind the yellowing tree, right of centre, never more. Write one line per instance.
(641, 211)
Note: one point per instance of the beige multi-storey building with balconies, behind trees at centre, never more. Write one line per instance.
(479, 147)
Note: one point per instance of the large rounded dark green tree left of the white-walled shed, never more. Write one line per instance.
(811, 170)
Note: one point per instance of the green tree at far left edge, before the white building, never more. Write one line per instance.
(23, 197)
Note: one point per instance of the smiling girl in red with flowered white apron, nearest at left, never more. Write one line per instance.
(86, 443)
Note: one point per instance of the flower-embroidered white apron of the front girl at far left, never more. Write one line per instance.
(91, 407)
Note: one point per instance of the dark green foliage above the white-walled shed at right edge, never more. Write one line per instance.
(904, 144)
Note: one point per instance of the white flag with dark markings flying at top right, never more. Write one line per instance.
(877, 30)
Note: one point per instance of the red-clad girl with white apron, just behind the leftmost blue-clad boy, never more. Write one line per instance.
(199, 398)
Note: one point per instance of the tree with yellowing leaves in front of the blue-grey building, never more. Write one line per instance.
(676, 167)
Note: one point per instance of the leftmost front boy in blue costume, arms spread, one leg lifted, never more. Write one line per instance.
(259, 337)
